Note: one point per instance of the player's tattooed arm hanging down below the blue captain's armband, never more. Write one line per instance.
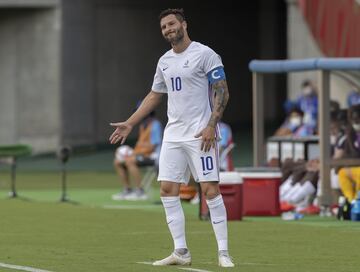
(221, 97)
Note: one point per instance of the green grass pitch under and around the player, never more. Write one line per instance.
(95, 233)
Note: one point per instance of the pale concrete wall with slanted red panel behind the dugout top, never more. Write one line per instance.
(317, 29)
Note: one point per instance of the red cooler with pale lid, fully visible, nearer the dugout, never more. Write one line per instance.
(260, 191)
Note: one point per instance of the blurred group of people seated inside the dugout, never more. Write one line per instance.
(299, 190)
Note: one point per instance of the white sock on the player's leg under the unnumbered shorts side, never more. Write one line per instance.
(175, 219)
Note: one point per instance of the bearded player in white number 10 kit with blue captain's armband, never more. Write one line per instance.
(192, 76)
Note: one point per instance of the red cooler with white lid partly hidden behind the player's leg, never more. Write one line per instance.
(231, 190)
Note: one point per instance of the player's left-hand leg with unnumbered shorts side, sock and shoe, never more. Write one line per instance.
(173, 172)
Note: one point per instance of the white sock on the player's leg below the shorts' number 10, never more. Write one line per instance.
(219, 221)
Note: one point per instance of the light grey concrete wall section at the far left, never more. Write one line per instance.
(29, 76)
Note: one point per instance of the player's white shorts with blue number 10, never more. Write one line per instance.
(177, 159)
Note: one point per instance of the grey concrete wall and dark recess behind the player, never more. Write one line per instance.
(70, 67)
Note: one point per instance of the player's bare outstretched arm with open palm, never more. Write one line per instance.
(123, 129)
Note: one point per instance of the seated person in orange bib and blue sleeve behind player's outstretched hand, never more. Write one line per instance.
(145, 152)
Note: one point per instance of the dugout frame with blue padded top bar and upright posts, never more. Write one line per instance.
(324, 66)
